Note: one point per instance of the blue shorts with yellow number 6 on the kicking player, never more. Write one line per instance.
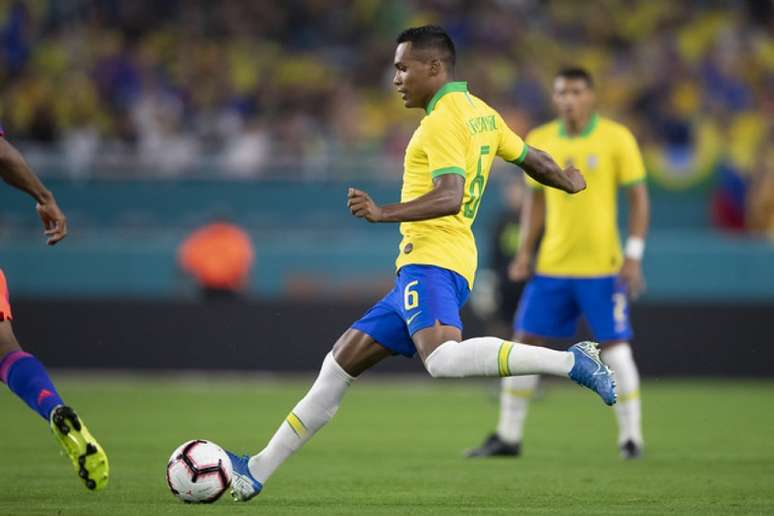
(422, 295)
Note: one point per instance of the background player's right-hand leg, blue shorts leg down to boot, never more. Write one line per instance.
(605, 306)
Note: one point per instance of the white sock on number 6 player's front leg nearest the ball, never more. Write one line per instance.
(307, 417)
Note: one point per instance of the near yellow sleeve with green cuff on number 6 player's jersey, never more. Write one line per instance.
(445, 144)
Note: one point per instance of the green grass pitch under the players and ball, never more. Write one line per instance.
(395, 448)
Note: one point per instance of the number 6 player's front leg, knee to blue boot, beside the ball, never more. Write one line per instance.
(353, 353)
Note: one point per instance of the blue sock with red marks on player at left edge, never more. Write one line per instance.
(28, 379)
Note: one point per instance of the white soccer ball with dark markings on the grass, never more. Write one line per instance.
(199, 472)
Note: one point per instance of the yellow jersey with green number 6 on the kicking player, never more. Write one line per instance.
(460, 135)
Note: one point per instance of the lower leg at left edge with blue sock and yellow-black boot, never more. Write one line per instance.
(27, 378)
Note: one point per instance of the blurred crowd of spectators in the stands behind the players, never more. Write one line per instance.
(303, 89)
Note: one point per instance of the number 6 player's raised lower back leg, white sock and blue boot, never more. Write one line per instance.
(490, 356)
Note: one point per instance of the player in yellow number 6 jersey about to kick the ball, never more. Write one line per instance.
(445, 174)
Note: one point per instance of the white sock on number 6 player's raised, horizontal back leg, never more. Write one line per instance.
(490, 356)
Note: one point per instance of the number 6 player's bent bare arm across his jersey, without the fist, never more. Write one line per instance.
(444, 199)
